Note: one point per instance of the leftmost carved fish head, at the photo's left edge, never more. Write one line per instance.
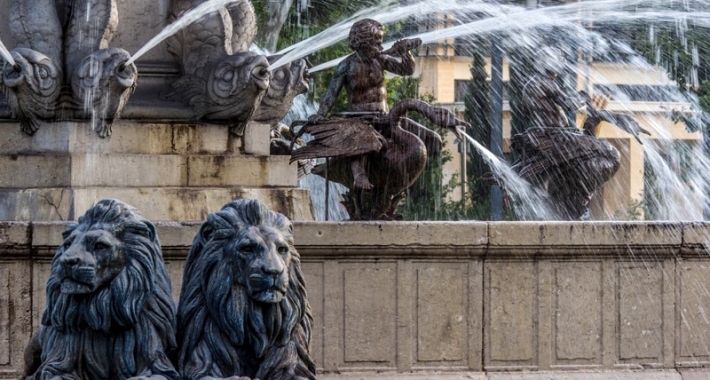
(32, 86)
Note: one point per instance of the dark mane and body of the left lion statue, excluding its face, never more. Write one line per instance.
(123, 329)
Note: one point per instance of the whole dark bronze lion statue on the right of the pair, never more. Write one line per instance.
(243, 311)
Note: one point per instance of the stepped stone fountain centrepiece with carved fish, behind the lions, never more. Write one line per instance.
(70, 81)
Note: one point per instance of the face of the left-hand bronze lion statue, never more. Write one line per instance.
(89, 260)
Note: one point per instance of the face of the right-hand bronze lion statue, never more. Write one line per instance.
(262, 257)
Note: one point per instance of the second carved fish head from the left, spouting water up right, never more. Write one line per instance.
(101, 86)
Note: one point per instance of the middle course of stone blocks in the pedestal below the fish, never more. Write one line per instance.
(19, 171)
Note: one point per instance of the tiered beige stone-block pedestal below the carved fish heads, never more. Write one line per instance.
(168, 171)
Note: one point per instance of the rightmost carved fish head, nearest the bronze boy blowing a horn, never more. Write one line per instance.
(287, 82)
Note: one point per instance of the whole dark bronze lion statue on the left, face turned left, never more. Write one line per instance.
(110, 313)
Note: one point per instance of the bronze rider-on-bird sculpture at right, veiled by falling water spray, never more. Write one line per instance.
(567, 165)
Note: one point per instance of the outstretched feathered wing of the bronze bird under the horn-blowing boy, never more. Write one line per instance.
(340, 138)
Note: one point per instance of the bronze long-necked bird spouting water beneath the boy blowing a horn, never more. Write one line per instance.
(391, 148)
